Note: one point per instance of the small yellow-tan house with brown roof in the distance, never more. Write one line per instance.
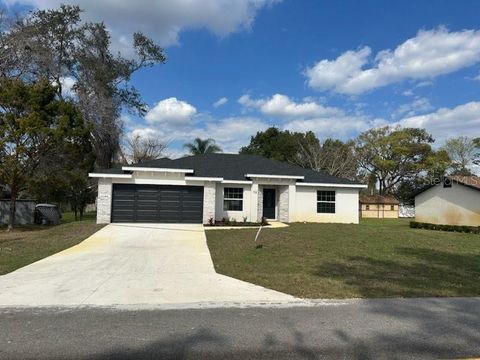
(379, 207)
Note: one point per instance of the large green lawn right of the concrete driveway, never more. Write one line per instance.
(378, 258)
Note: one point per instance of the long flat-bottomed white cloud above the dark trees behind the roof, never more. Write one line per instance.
(282, 106)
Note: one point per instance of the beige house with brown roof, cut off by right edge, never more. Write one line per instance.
(453, 201)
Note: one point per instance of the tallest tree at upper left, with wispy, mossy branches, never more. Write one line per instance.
(57, 45)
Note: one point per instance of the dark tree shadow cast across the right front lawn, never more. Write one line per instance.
(416, 273)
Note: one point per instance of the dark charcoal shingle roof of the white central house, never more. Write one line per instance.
(235, 167)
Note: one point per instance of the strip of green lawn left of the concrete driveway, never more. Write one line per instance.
(27, 244)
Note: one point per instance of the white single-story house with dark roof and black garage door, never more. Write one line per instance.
(214, 186)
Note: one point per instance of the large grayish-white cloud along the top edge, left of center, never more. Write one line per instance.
(163, 20)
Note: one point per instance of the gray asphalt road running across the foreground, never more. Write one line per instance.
(388, 329)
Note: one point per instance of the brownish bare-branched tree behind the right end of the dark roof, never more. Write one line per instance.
(333, 156)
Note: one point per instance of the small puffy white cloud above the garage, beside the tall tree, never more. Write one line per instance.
(171, 111)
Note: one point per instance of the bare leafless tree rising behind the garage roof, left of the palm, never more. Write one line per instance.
(139, 149)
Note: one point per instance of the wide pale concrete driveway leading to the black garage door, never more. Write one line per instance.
(132, 264)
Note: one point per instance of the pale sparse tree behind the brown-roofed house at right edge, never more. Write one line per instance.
(463, 151)
